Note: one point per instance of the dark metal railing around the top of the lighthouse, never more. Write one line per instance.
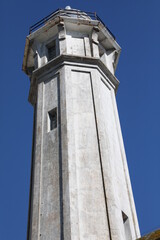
(68, 13)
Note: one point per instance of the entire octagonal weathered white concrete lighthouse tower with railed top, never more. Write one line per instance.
(80, 185)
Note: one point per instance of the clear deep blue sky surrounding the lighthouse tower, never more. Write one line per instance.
(136, 25)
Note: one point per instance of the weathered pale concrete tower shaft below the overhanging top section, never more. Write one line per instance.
(96, 187)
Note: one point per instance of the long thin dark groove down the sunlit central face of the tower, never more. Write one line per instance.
(100, 157)
